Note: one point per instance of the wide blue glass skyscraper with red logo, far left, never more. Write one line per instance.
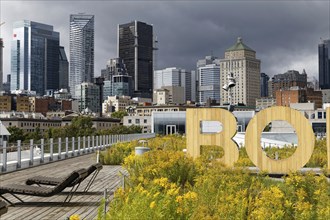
(34, 57)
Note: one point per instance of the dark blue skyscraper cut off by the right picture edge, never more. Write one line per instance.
(324, 64)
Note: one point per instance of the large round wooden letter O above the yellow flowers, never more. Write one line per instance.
(304, 132)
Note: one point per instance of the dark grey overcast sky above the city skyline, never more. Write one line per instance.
(285, 34)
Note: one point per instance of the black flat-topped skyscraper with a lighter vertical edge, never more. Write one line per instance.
(135, 47)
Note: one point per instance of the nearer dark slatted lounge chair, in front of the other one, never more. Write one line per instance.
(71, 180)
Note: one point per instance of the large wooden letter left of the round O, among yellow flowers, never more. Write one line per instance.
(195, 138)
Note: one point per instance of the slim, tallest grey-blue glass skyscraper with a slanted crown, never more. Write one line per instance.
(81, 50)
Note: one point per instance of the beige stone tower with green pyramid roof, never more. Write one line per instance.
(241, 61)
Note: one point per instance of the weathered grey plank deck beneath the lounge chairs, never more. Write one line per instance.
(84, 204)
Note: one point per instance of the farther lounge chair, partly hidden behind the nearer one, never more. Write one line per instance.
(53, 181)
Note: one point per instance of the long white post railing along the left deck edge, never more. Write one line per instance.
(19, 155)
